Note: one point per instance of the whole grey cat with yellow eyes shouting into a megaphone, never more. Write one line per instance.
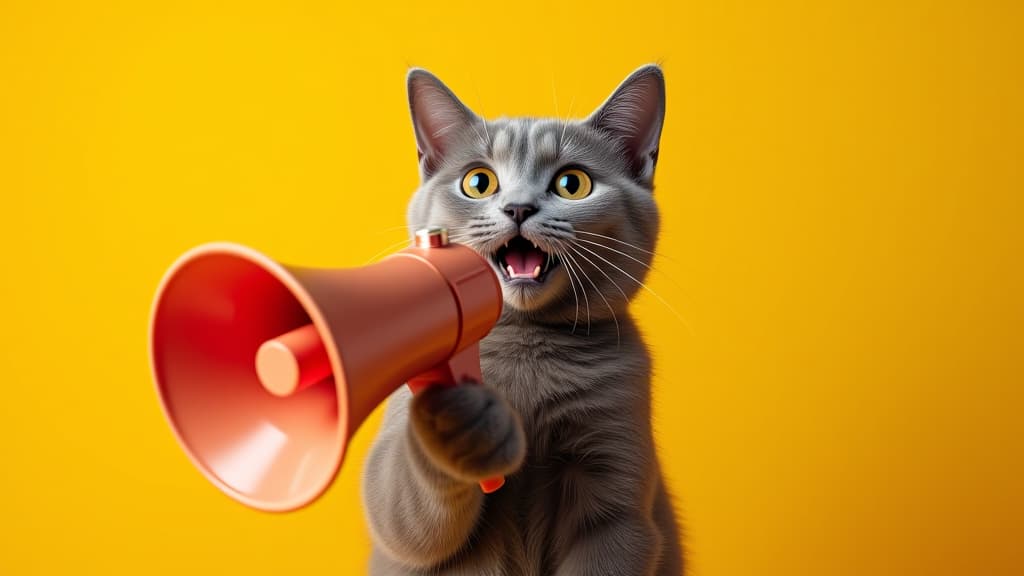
(565, 212)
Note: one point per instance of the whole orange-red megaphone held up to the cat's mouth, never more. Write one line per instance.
(266, 372)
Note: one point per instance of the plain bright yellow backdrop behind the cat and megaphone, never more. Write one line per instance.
(841, 189)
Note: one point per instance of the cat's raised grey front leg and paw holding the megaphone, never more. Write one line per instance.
(421, 486)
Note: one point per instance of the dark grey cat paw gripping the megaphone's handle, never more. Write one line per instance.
(470, 432)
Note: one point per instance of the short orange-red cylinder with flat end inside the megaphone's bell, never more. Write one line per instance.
(293, 361)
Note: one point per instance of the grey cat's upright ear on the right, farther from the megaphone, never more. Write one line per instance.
(634, 114)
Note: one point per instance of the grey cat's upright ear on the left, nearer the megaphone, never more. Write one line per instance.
(439, 117)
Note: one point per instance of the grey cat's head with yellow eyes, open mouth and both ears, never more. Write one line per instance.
(563, 210)
